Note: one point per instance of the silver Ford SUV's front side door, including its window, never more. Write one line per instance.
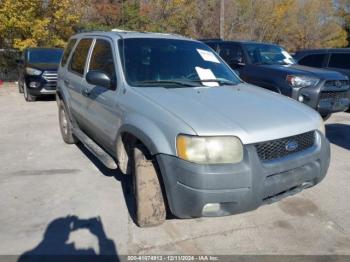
(101, 110)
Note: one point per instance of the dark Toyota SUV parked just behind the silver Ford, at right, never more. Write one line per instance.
(271, 67)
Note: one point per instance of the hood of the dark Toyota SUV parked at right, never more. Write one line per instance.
(307, 71)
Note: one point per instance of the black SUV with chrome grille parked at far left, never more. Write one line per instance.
(38, 72)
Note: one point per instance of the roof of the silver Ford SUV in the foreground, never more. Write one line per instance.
(130, 34)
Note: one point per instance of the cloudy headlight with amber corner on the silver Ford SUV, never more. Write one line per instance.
(209, 150)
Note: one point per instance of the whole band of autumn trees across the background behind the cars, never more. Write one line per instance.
(292, 23)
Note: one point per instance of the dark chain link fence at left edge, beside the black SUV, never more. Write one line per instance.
(8, 64)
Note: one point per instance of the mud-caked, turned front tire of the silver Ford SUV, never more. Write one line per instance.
(150, 205)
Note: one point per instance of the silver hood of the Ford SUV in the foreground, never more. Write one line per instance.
(248, 112)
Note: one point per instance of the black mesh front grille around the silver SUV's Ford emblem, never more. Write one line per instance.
(275, 149)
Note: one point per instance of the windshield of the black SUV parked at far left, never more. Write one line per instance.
(45, 56)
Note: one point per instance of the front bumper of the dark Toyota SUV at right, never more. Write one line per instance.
(313, 97)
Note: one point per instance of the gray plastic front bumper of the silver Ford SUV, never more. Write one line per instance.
(237, 188)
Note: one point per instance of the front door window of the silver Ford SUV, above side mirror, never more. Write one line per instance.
(102, 58)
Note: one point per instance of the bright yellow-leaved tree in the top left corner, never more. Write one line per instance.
(31, 23)
